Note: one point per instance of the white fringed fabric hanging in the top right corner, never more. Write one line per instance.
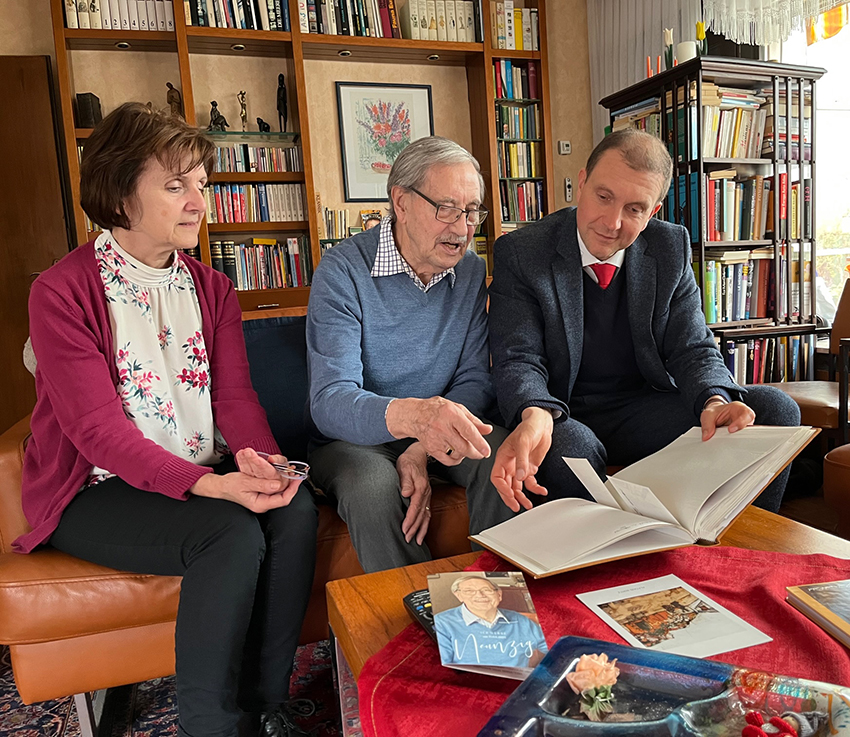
(762, 22)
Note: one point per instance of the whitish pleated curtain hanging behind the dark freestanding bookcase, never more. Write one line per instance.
(621, 34)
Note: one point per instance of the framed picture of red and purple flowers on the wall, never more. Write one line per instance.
(376, 122)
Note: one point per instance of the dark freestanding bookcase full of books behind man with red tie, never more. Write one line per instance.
(746, 197)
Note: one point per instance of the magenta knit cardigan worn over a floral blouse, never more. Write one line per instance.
(78, 420)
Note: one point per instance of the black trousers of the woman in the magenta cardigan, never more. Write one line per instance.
(246, 584)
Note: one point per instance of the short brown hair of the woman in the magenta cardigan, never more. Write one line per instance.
(119, 149)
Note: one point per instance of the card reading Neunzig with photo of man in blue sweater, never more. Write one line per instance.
(486, 623)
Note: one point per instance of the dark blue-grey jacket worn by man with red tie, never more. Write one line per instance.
(537, 315)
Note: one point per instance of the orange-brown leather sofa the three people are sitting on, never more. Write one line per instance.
(74, 627)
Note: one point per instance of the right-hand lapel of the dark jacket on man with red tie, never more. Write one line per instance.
(641, 273)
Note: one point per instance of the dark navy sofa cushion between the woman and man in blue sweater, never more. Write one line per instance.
(277, 352)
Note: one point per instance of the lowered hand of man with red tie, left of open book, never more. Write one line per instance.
(519, 457)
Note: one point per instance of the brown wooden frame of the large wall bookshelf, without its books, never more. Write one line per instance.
(188, 44)
